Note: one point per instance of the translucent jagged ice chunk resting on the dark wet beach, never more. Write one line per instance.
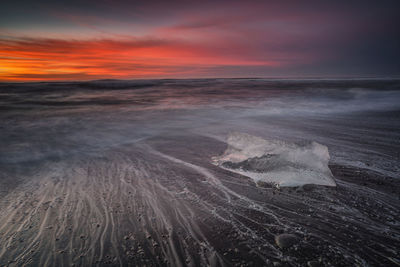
(277, 162)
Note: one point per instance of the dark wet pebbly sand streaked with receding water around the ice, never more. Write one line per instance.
(161, 202)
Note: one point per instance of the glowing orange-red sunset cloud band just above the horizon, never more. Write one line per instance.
(30, 59)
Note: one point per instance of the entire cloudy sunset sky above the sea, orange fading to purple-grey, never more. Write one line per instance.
(45, 40)
